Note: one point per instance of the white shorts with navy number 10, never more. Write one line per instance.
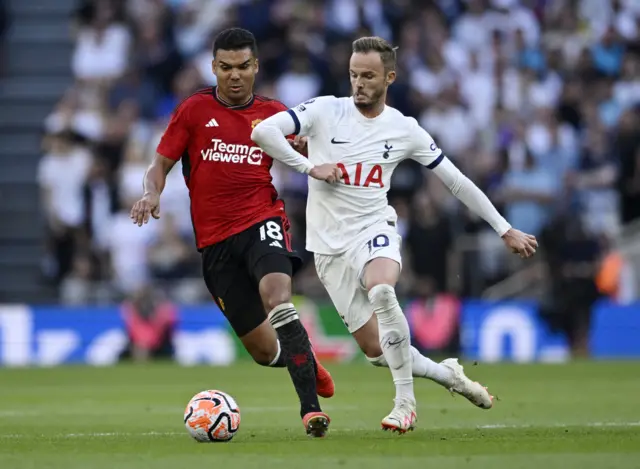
(341, 274)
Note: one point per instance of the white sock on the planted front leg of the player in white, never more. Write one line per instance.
(394, 338)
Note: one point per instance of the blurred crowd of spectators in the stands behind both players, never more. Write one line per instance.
(537, 101)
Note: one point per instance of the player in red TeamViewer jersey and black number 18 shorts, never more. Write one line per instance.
(240, 225)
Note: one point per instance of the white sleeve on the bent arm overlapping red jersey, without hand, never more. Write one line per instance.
(270, 136)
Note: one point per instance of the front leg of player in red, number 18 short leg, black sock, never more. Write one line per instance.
(273, 263)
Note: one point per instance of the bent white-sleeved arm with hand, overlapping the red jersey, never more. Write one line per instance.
(270, 135)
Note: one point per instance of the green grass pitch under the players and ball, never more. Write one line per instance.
(582, 415)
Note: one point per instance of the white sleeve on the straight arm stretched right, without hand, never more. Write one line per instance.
(470, 195)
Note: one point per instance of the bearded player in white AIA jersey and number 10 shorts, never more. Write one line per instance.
(354, 144)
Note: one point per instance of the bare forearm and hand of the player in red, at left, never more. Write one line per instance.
(153, 185)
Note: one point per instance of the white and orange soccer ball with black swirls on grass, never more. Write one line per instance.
(212, 416)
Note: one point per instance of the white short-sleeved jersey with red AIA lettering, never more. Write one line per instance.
(367, 151)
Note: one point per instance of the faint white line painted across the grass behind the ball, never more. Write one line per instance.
(339, 430)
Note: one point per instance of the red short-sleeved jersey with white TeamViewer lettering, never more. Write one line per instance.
(227, 174)
